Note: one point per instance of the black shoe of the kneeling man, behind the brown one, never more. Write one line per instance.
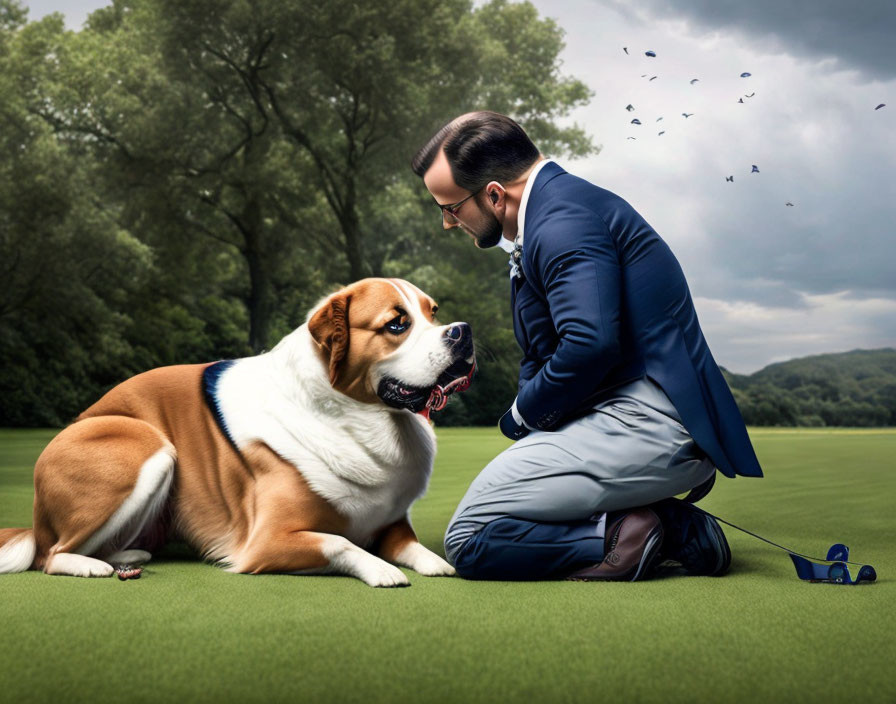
(693, 539)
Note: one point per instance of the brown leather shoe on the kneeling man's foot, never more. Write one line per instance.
(633, 544)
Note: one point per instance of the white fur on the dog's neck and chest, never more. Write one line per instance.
(368, 461)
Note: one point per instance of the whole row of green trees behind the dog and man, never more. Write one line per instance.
(181, 182)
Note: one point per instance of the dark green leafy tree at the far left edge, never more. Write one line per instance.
(66, 268)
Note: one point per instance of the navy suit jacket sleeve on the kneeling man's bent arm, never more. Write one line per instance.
(574, 263)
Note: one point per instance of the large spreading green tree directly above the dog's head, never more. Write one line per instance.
(282, 131)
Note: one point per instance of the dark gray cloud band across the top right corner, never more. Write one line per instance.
(857, 35)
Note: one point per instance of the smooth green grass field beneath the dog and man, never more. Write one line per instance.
(190, 632)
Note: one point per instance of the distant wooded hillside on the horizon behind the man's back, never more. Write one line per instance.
(855, 388)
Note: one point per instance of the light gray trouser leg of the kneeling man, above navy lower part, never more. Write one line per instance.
(631, 451)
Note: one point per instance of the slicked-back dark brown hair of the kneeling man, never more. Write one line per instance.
(481, 147)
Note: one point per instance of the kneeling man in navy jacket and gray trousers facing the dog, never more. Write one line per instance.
(620, 404)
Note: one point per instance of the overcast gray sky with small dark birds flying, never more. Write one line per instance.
(770, 281)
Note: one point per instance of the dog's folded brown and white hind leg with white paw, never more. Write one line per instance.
(97, 485)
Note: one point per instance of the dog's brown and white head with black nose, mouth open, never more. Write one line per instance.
(381, 344)
